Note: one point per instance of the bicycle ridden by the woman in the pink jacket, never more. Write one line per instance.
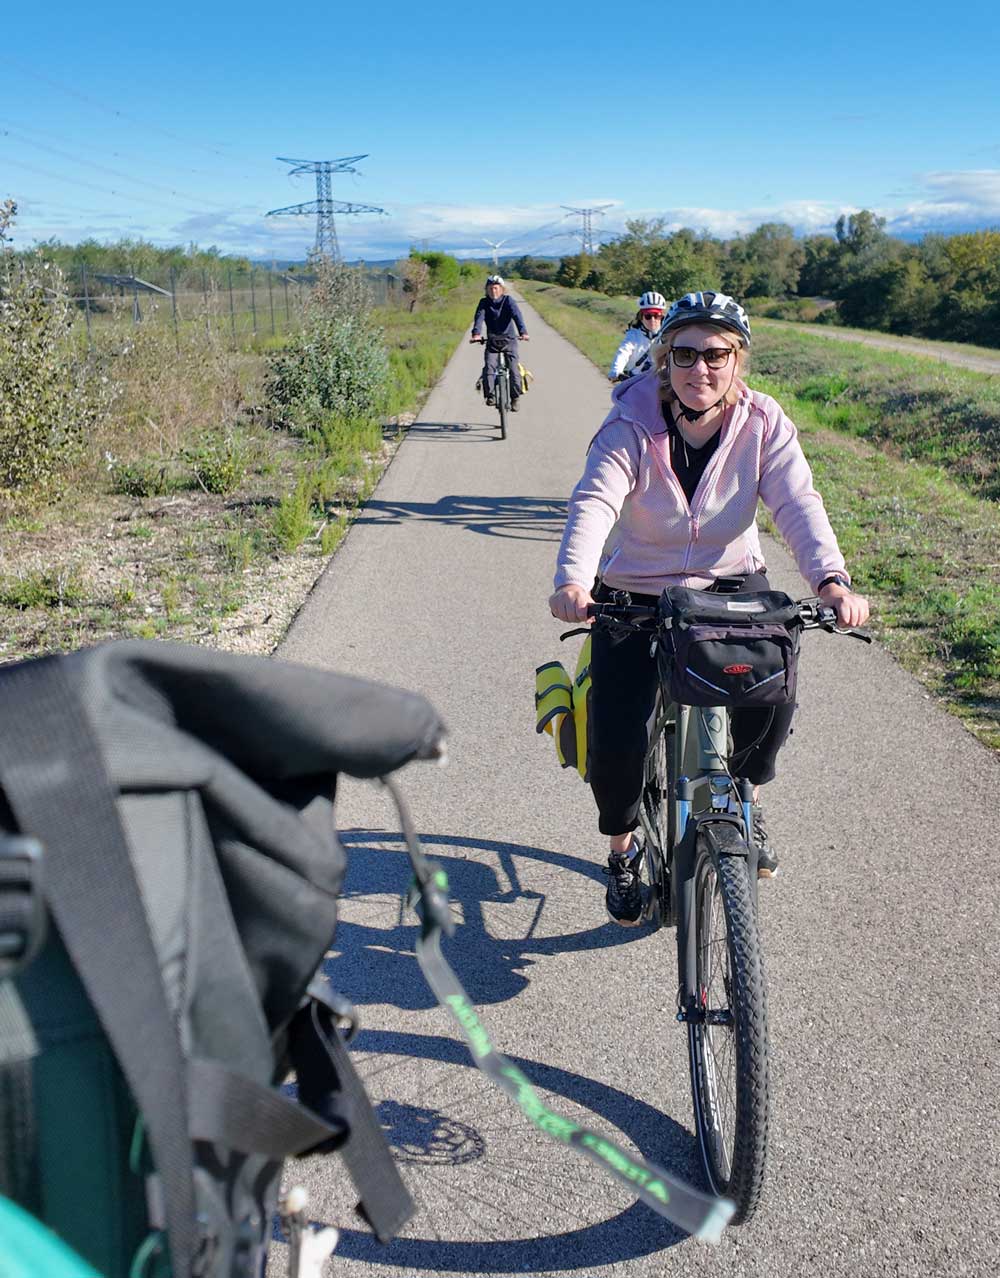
(700, 866)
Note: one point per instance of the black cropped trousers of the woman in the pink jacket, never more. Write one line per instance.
(625, 683)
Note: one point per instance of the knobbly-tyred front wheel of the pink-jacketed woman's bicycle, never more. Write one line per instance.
(728, 1031)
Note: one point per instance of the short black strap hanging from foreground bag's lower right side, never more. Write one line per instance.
(329, 1086)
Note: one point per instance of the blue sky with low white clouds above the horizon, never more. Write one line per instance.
(480, 122)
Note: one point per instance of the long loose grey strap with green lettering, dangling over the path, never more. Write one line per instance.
(696, 1213)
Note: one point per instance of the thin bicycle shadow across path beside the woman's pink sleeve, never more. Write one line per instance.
(539, 520)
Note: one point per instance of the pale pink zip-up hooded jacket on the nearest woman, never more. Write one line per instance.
(631, 523)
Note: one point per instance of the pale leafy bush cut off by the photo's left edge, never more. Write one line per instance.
(48, 401)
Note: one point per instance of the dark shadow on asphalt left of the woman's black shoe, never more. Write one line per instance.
(374, 954)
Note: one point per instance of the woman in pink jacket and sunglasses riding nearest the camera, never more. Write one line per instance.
(669, 498)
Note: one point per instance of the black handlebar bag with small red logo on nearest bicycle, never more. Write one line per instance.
(730, 650)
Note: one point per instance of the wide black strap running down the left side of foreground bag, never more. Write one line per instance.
(53, 778)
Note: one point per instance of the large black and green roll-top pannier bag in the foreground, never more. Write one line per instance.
(160, 945)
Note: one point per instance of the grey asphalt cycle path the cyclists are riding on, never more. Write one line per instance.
(880, 932)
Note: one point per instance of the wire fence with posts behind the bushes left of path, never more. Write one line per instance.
(240, 307)
